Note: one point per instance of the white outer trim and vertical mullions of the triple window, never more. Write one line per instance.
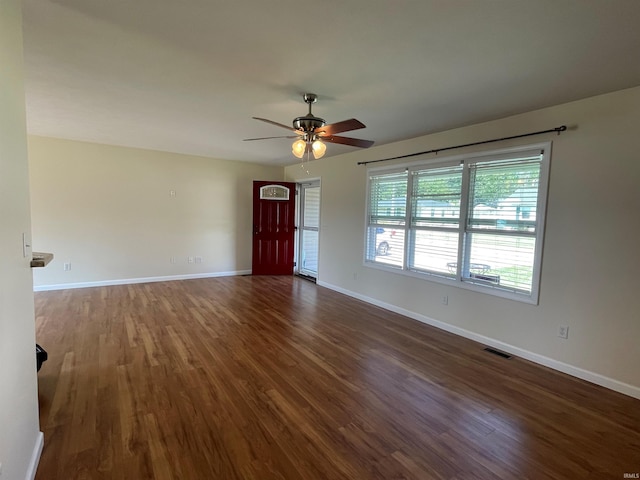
(466, 159)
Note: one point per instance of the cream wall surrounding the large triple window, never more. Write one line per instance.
(591, 256)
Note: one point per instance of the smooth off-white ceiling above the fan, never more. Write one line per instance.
(188, 76)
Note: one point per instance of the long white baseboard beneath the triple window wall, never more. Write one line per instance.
(572, 370)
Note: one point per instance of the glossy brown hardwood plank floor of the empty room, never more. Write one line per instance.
(277, 378)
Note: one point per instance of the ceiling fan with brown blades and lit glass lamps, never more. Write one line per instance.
(311, 132)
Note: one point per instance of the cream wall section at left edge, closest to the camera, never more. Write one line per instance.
(20, 440)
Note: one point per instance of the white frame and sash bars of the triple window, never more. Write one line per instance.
(464, 230)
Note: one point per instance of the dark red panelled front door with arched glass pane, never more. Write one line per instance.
(273, 228)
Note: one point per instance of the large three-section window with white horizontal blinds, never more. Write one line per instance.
(476, 221)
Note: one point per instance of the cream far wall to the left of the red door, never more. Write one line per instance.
(108, 211)
